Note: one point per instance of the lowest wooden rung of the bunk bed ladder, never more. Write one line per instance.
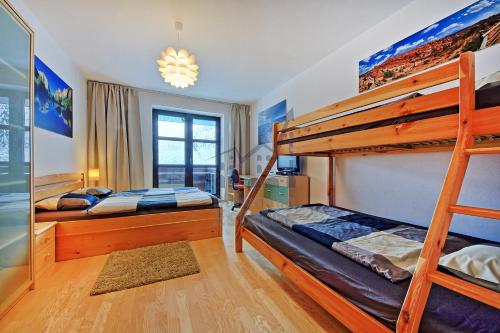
(468, 289)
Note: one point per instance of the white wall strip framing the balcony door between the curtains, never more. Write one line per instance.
(149, 100)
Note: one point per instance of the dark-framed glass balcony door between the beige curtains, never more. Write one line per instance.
(186, 151)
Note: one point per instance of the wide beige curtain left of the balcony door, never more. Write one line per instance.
(115, 142)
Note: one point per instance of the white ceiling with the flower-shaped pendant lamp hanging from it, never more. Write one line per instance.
(244, 48)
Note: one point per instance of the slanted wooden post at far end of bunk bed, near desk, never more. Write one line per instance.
(238, 240)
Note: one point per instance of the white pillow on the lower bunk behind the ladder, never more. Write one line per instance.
(479, 264)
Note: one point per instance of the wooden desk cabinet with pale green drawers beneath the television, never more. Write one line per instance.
(285, 191)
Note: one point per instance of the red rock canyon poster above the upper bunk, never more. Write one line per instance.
(473, 28)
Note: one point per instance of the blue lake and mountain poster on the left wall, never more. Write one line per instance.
(53, 101)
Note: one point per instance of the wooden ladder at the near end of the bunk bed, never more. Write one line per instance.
(426, 272)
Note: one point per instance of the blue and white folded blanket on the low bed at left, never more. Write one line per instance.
(151, 199)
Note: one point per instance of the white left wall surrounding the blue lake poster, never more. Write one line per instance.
(56, 153)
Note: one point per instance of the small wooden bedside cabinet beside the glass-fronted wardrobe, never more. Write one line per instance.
(45, 247)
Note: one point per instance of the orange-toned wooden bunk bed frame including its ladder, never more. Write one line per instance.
(457, 132)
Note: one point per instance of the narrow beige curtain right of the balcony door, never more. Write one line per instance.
(239, 139)
